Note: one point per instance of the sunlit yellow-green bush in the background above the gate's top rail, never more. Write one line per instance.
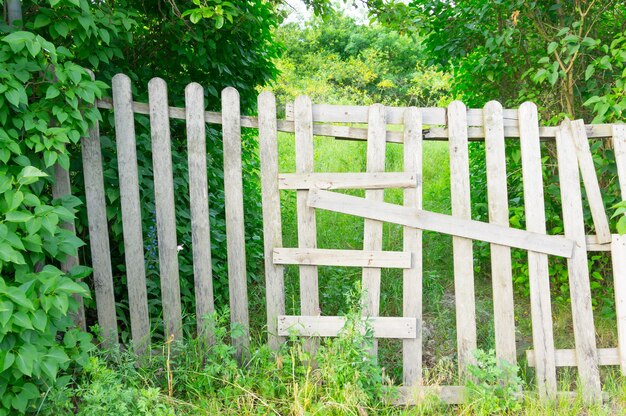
(336, 60)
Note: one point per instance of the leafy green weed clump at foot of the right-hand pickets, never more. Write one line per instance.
(494, 386)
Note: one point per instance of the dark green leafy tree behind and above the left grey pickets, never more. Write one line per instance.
(227, 44)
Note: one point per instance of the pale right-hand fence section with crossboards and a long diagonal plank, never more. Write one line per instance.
(456, 124)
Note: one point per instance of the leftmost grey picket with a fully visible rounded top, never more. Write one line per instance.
(131, 213)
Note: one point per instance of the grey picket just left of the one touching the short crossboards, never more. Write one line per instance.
(233, 202)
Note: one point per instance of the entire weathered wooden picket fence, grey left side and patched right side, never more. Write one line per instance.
(457, 125)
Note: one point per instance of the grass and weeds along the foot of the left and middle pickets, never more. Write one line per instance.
(207, 379)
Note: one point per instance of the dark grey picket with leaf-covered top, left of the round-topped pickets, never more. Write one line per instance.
(99, 236)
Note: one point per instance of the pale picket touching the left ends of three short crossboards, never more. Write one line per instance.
(272, 225)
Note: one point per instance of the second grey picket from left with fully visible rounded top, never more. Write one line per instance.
(164, 206)
